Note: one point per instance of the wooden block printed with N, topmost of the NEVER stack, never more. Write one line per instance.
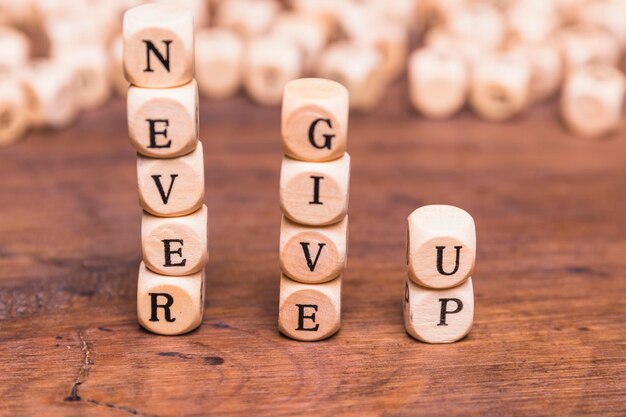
(158, 46)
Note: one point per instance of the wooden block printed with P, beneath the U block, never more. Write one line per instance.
(438, 316)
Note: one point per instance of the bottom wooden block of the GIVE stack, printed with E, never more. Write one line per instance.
(309, 312)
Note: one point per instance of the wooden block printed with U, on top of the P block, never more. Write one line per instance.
(441, 246)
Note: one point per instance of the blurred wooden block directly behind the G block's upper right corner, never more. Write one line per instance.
(358, 68)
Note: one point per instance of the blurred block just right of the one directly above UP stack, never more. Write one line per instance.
(500, 87)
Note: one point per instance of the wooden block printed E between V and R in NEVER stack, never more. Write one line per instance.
(175, 246)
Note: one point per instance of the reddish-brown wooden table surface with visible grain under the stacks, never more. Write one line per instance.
(550, 287)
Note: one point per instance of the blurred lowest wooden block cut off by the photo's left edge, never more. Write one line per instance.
(14, 120)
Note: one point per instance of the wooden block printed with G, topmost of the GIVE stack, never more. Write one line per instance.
(314, 119)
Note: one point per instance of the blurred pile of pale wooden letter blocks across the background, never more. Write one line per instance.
(499, 57)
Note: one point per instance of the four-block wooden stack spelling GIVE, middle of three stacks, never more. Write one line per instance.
(314, 188)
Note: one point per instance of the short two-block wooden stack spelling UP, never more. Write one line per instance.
(438, 291)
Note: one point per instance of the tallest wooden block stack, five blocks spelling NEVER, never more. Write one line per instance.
(163, 128)
